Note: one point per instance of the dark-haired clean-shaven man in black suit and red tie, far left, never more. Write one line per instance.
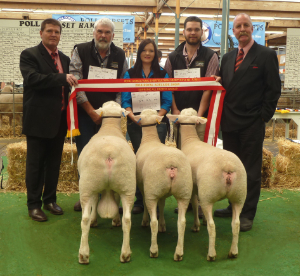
(46, 86)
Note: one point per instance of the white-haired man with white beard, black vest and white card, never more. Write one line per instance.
(101, 56)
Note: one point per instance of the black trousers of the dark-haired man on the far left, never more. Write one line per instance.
(42, 166)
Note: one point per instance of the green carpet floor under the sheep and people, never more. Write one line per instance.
(50, 248)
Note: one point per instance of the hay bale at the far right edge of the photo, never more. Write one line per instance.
(287, 165)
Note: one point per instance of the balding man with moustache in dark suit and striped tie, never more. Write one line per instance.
(250, 75)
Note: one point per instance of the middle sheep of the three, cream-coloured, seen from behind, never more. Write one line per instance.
(162, 171)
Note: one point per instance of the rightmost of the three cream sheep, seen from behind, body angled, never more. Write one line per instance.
(217, 173)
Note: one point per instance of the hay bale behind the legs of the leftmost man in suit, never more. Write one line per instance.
(16, 154)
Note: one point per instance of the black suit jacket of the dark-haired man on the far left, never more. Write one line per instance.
(42, 91)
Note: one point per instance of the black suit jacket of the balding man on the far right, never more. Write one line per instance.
(253, 90)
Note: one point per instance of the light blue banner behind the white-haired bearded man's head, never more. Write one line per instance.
(128, 22)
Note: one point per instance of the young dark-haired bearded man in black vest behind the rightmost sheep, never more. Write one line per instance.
(192, 59)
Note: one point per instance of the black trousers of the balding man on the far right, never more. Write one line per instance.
(247, 144)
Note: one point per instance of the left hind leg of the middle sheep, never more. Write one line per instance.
(152, 205)
